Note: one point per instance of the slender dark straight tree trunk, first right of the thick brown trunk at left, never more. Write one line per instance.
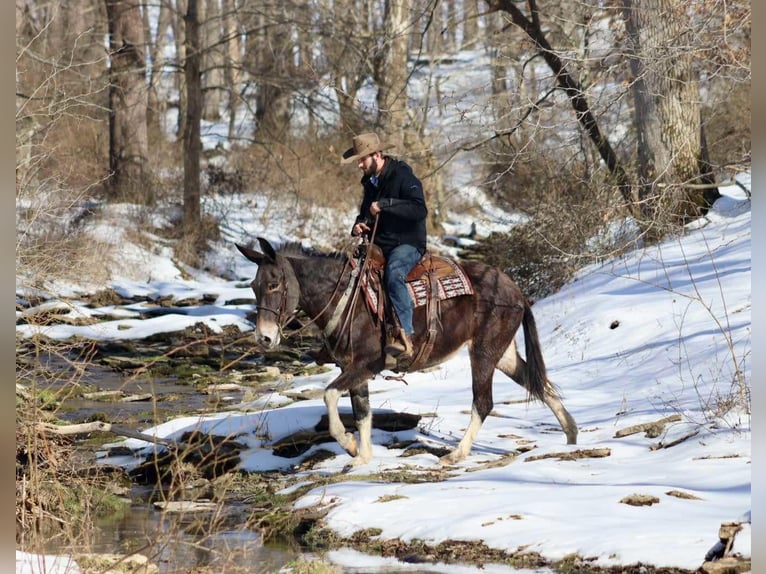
(191, 135)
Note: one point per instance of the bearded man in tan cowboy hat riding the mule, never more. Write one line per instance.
(394, 195)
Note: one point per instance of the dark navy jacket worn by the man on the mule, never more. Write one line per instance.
(403, 211)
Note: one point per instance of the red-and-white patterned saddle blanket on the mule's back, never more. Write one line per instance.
(451, 281)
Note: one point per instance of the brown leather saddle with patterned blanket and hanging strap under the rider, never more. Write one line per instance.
(434, 278)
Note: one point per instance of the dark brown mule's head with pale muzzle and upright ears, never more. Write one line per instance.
(276, 292)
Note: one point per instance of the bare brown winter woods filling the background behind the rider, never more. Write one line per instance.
(596, 116)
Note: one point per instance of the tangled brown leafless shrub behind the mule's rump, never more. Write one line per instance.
(567, 226)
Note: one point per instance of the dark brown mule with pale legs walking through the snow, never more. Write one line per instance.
(293, 278)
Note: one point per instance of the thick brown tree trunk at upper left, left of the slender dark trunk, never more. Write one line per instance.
(128, 142)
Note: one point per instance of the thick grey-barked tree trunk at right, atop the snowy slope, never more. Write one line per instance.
(666, 111)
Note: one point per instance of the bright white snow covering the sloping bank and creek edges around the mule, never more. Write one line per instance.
(662, 331)
